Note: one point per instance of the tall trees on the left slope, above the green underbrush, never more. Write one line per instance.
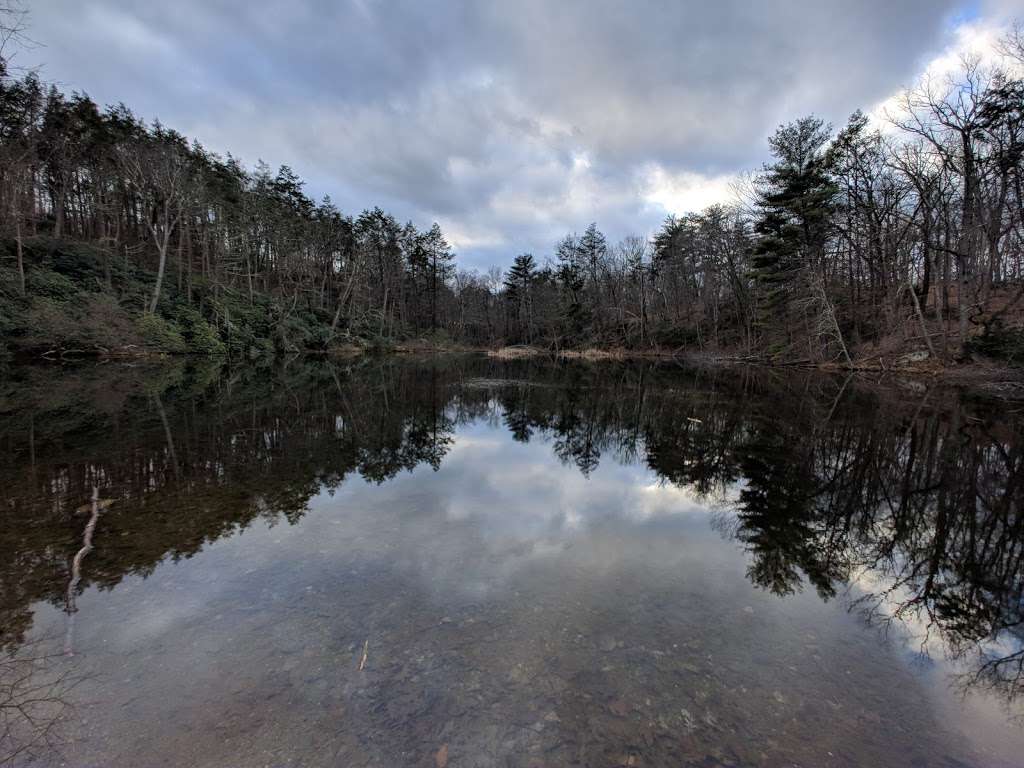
(149, 197)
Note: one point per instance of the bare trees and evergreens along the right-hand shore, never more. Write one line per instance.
(912, 231)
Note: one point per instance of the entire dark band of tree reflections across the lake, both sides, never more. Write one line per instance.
(826, 483)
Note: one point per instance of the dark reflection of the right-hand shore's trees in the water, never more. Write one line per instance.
(828, 485)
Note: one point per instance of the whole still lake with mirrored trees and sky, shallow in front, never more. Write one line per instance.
(463, 562)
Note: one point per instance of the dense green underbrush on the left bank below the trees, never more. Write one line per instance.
(80, 300)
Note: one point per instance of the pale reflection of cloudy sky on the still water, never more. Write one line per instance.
(556, 584)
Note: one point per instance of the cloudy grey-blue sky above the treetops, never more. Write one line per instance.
(510, 123)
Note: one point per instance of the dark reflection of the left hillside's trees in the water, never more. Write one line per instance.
(246, 446)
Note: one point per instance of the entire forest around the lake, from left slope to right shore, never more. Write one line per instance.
(891, 238)
